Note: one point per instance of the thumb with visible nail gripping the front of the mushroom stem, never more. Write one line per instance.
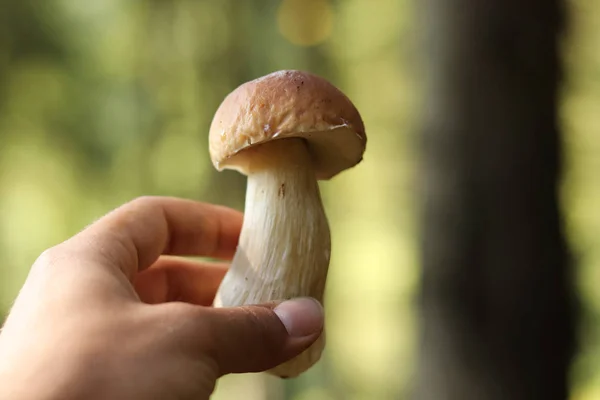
(258, 338)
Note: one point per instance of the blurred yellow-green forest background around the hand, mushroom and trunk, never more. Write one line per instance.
(103, 101)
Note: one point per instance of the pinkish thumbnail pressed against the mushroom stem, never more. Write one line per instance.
(301, 317)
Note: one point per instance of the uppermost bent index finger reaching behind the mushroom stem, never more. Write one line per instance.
(134, 235)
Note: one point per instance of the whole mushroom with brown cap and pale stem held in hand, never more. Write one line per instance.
(285, 131)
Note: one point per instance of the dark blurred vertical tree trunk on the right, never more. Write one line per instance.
(497, 310)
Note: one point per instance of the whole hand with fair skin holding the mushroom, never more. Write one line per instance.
(111, 314)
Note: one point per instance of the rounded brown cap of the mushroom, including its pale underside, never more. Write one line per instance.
(288, 104)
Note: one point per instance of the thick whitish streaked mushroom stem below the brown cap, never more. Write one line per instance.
(285, 243)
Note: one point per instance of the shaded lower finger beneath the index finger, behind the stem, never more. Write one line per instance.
(176, 279)
